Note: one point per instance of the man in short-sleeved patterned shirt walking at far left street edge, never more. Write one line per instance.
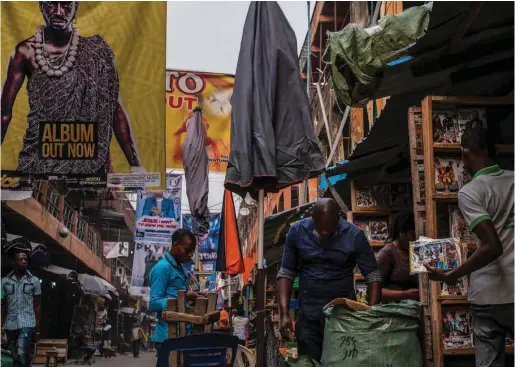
(21, 298)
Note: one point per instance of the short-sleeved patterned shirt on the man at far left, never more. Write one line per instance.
(20, 300)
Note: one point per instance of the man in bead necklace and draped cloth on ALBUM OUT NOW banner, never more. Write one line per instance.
(73, 89)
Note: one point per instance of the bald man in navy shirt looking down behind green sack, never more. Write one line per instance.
(323, 251)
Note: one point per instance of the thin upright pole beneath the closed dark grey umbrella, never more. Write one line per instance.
(261, 283)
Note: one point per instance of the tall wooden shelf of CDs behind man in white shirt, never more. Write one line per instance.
(437, 175)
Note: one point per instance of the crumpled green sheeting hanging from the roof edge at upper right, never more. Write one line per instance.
(358, 56)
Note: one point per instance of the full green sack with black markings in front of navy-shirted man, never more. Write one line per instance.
(386, 335)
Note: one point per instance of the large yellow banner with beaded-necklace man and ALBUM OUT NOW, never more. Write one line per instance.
(82, 88)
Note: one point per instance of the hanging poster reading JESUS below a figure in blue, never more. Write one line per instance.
(158, 214)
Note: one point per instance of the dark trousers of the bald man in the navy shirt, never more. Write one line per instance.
(310, 337)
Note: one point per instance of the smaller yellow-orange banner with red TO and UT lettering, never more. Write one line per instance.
(185, 90)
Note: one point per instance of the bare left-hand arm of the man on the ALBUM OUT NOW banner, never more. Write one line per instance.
(15, 76)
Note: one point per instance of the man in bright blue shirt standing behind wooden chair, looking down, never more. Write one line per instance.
(168, 277)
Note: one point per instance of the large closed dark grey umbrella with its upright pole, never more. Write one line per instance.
(273, 143)
